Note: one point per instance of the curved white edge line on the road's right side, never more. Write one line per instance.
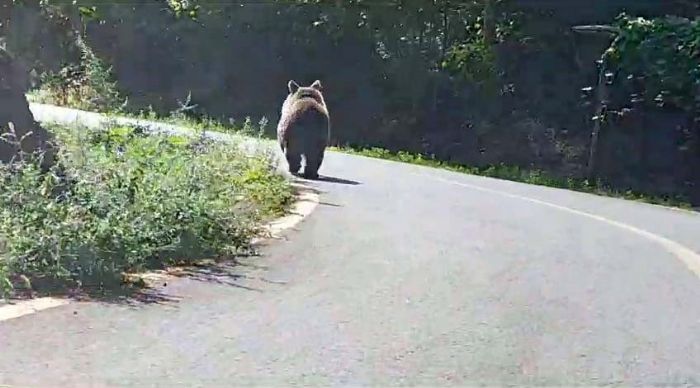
(686, 255)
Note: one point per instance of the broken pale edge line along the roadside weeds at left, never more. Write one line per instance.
(306, 202)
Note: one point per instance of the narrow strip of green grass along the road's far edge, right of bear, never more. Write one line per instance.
(514, 173)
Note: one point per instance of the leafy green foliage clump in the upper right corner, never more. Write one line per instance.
(662, 55)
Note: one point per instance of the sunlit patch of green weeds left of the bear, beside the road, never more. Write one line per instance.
(122, 202)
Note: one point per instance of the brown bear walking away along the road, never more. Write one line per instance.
(304, 128)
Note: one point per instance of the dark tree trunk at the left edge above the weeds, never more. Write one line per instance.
(22, 135)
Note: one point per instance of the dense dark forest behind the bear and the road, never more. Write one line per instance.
(606, 90)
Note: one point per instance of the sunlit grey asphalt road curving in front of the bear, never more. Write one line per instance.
(404, 275)
